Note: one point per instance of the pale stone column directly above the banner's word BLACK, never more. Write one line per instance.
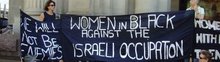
(143, 6)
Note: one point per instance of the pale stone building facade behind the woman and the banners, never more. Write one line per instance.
(89, 7)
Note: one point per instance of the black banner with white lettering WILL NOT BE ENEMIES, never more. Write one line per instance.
(39, 40)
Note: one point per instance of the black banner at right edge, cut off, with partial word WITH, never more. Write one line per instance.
(207, 38)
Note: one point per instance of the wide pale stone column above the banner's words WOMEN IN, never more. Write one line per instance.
(97, 7)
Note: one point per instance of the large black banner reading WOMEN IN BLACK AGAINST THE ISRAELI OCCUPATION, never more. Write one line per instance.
(161, 36)
